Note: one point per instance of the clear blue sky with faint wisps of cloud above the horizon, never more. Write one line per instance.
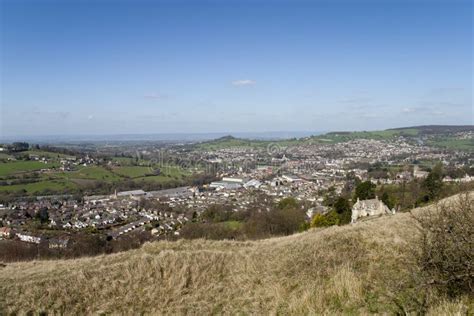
(137, 67)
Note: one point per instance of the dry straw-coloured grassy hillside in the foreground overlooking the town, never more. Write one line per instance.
(355, 269)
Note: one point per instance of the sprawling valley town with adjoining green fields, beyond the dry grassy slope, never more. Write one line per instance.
(313, 173)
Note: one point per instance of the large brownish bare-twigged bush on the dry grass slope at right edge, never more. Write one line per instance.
(446, 254)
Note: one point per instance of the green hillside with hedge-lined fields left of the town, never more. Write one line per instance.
(43, 172)
